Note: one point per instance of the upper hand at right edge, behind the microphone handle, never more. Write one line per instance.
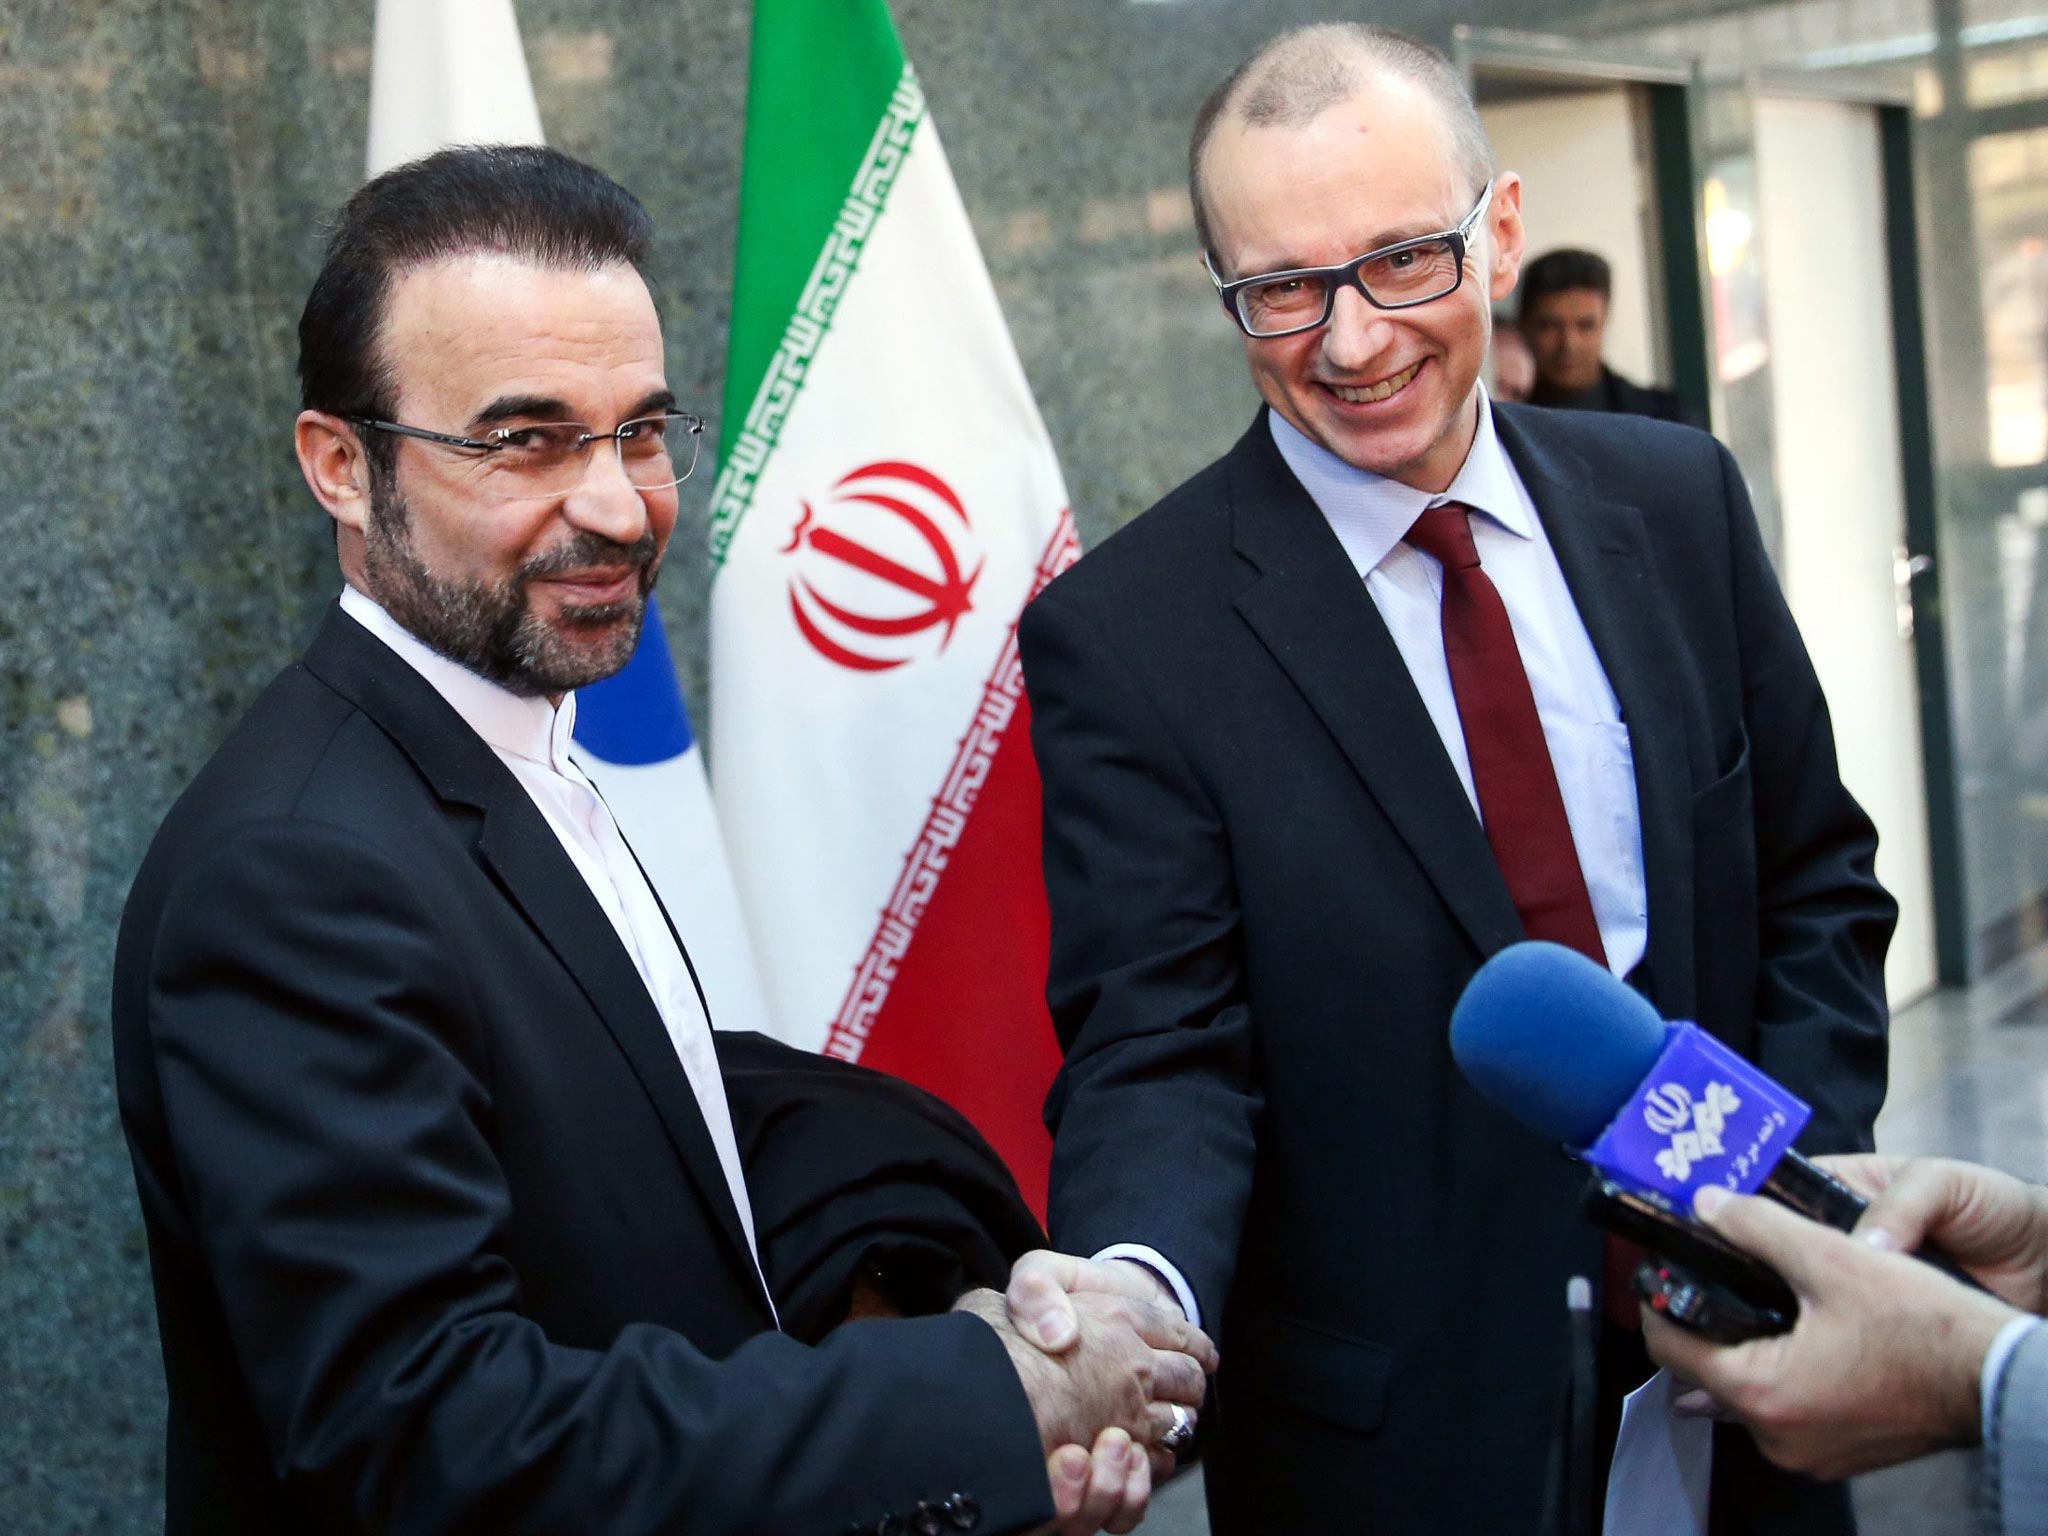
(1992, 1224)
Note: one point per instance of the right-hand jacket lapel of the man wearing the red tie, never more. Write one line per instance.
(1605, 552)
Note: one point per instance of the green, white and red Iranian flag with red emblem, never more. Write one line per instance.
(886, 507)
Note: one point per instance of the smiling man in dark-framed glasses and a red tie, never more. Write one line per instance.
(1404, 679)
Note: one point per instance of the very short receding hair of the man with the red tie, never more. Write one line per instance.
(1306, 71)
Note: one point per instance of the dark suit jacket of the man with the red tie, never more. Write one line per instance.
(1269, 890)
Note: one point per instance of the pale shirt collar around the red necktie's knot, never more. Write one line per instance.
(1371, 513)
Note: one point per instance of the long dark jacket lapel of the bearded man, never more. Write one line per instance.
(529, 863)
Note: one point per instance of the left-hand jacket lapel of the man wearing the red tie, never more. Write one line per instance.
(1314, 615)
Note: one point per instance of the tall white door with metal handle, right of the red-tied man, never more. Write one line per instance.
(1844, 454)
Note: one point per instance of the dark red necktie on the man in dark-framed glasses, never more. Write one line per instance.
(1517, 783)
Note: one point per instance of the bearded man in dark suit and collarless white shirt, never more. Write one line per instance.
(445, 1207)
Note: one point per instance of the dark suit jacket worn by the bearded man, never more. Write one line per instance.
(439, 1236)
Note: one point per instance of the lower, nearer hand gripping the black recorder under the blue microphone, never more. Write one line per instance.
(1881, 1367)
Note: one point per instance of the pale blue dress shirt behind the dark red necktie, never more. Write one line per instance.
(1582, 720)
